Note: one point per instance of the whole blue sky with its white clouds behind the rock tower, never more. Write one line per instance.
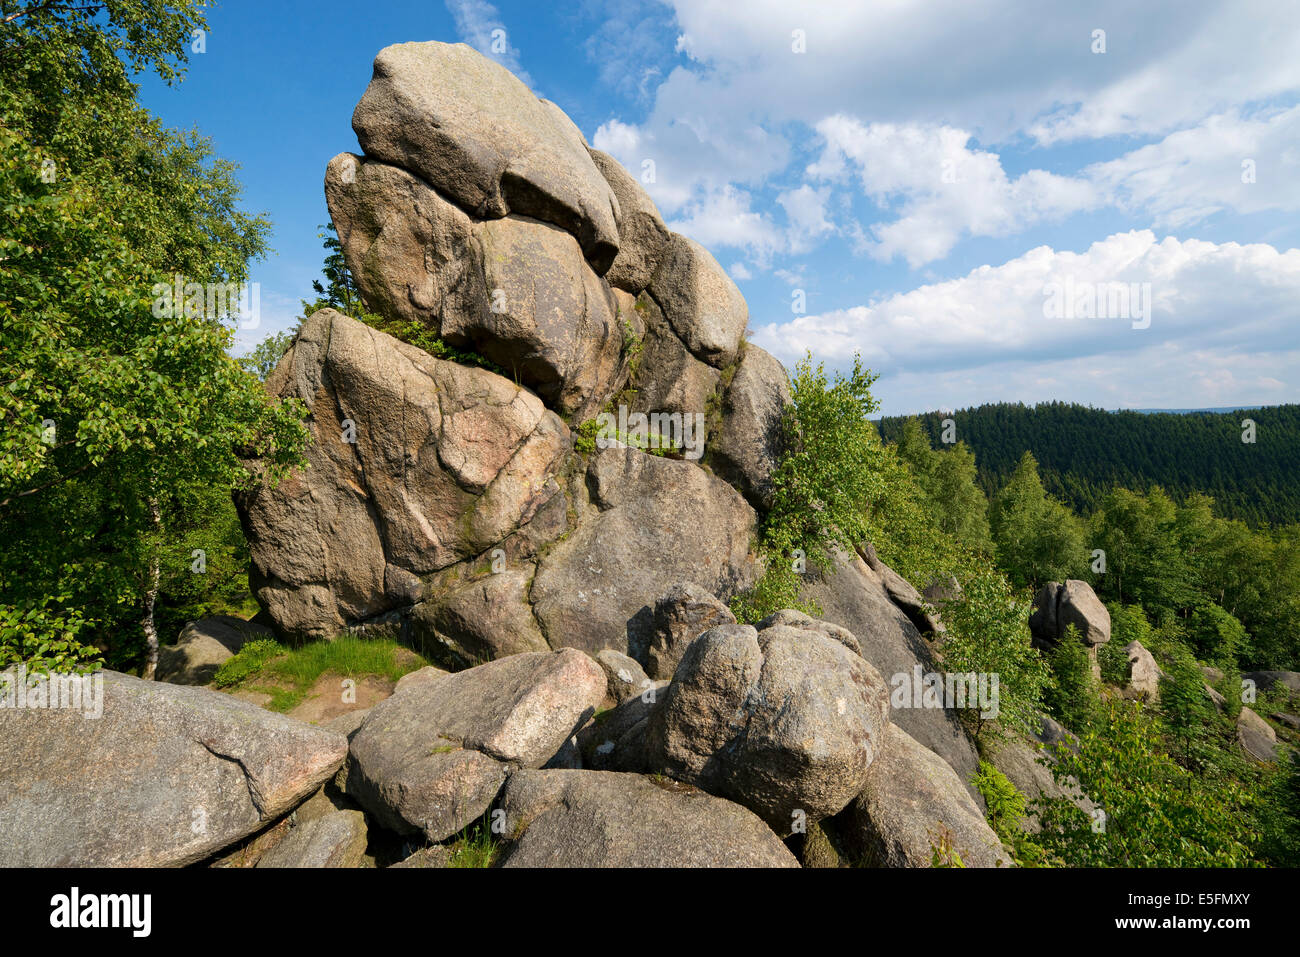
(925, 172)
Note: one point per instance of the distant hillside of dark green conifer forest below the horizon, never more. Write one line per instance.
(1085, 452)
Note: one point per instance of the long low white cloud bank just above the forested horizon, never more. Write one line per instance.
(1208, 301)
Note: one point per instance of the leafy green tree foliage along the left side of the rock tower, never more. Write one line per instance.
(115, 405)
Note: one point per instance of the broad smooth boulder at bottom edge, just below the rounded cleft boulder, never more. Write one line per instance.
(601, 820)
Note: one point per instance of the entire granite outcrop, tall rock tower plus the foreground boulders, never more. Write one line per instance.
(596, 703)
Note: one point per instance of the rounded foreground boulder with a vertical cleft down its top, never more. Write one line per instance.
(786, 721)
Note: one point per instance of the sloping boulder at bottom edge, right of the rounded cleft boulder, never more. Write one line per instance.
(912, 807)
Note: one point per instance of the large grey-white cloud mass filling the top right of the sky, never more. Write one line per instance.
(921, 80)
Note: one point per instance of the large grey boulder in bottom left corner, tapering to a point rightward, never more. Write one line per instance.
(166, 777)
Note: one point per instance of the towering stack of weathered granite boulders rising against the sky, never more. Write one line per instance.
(447, 500)
